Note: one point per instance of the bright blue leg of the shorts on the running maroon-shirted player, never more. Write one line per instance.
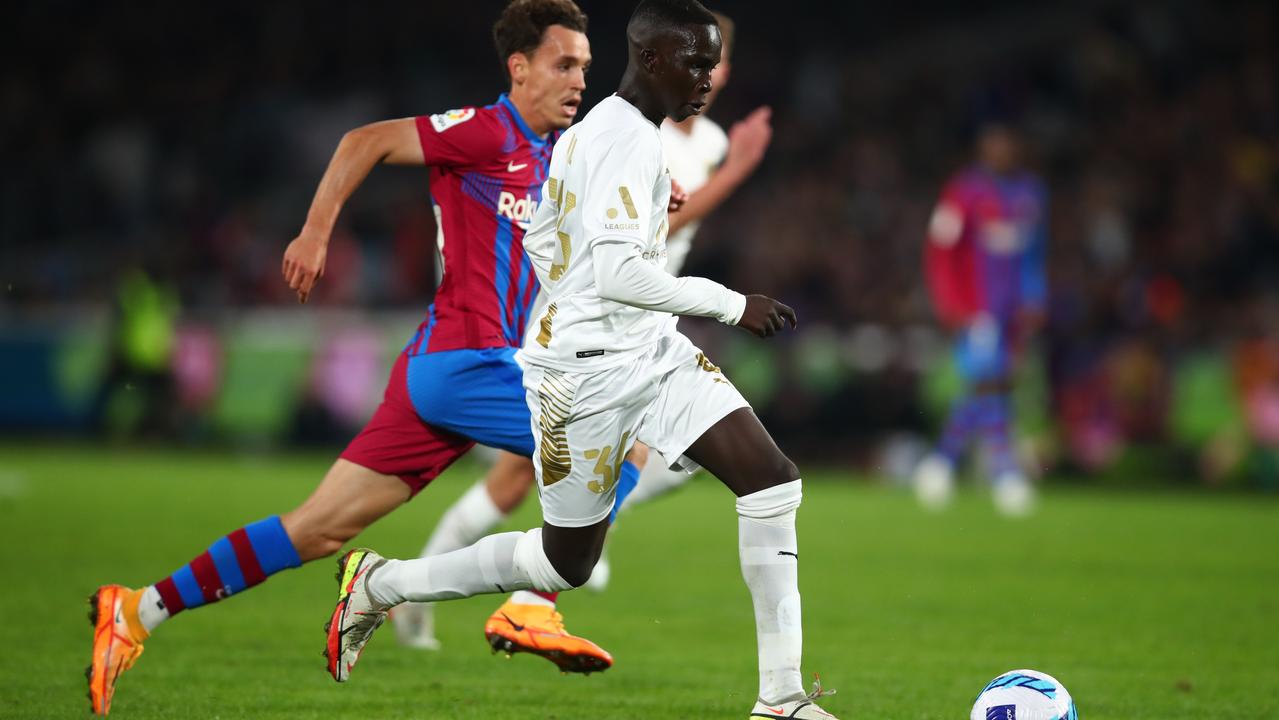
(479, 395)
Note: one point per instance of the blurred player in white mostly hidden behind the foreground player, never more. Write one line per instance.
(709, 166)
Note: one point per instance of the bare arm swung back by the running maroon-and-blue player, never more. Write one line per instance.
(393, 143)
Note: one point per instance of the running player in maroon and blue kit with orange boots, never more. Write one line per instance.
(457, 383)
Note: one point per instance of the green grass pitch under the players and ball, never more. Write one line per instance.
(1159, 604)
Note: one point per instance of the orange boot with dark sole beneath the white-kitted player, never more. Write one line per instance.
(540, 630)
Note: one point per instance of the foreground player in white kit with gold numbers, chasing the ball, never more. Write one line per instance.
(607, 368)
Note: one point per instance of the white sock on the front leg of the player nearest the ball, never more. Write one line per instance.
(771, 566)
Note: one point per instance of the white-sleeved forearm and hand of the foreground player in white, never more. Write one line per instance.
(622, 276)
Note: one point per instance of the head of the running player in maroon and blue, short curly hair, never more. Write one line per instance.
(545, 54)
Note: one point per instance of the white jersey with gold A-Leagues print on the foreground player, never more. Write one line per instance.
(608, 184)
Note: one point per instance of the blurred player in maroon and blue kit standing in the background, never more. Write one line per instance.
(985, 270)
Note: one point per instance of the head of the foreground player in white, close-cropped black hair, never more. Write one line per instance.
(675, 45)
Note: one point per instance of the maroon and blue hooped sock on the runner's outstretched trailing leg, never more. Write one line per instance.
(233, 565)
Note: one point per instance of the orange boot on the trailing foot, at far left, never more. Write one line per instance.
(118, 636)
